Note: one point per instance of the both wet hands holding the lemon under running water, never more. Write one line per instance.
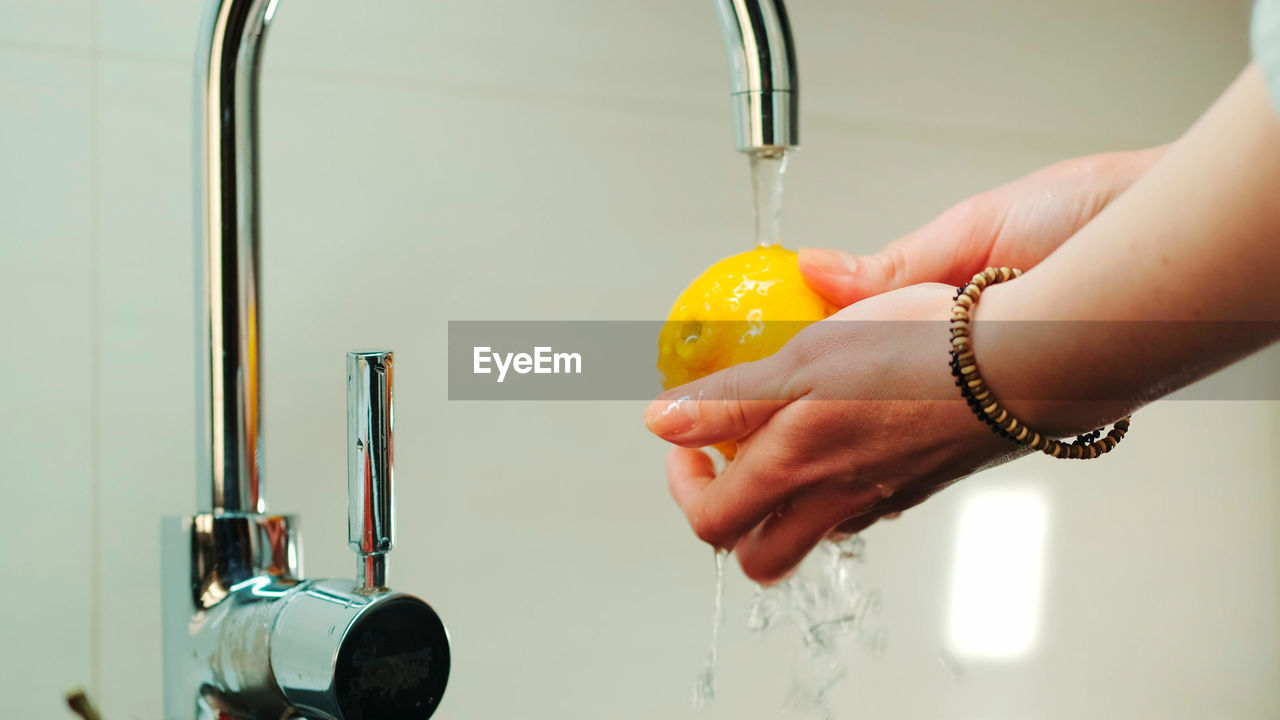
(849, 425)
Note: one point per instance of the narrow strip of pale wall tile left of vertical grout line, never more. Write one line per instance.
(48, 405)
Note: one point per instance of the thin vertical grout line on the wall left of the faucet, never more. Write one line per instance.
(95, 591)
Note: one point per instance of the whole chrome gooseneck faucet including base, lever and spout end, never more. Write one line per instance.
(245, 635)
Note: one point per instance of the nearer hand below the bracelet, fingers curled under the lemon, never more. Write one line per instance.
(857, 418)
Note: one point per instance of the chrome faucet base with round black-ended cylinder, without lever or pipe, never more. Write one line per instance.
(246, 639)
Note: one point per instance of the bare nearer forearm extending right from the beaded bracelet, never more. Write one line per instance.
(1196, 243)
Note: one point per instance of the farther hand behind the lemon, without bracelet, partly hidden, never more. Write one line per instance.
(1016, 226)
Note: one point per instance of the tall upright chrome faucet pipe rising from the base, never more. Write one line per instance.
(228, 349)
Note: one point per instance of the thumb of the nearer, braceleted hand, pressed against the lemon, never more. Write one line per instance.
(725, 405)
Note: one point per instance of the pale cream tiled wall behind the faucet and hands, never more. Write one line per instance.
(572, 161)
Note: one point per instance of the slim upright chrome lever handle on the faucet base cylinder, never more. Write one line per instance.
(371, 466)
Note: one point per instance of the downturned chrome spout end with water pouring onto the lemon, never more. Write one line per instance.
(765, 88)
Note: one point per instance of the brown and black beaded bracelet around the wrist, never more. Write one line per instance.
(984, 404)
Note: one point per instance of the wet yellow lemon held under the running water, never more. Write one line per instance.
(744, 308)
